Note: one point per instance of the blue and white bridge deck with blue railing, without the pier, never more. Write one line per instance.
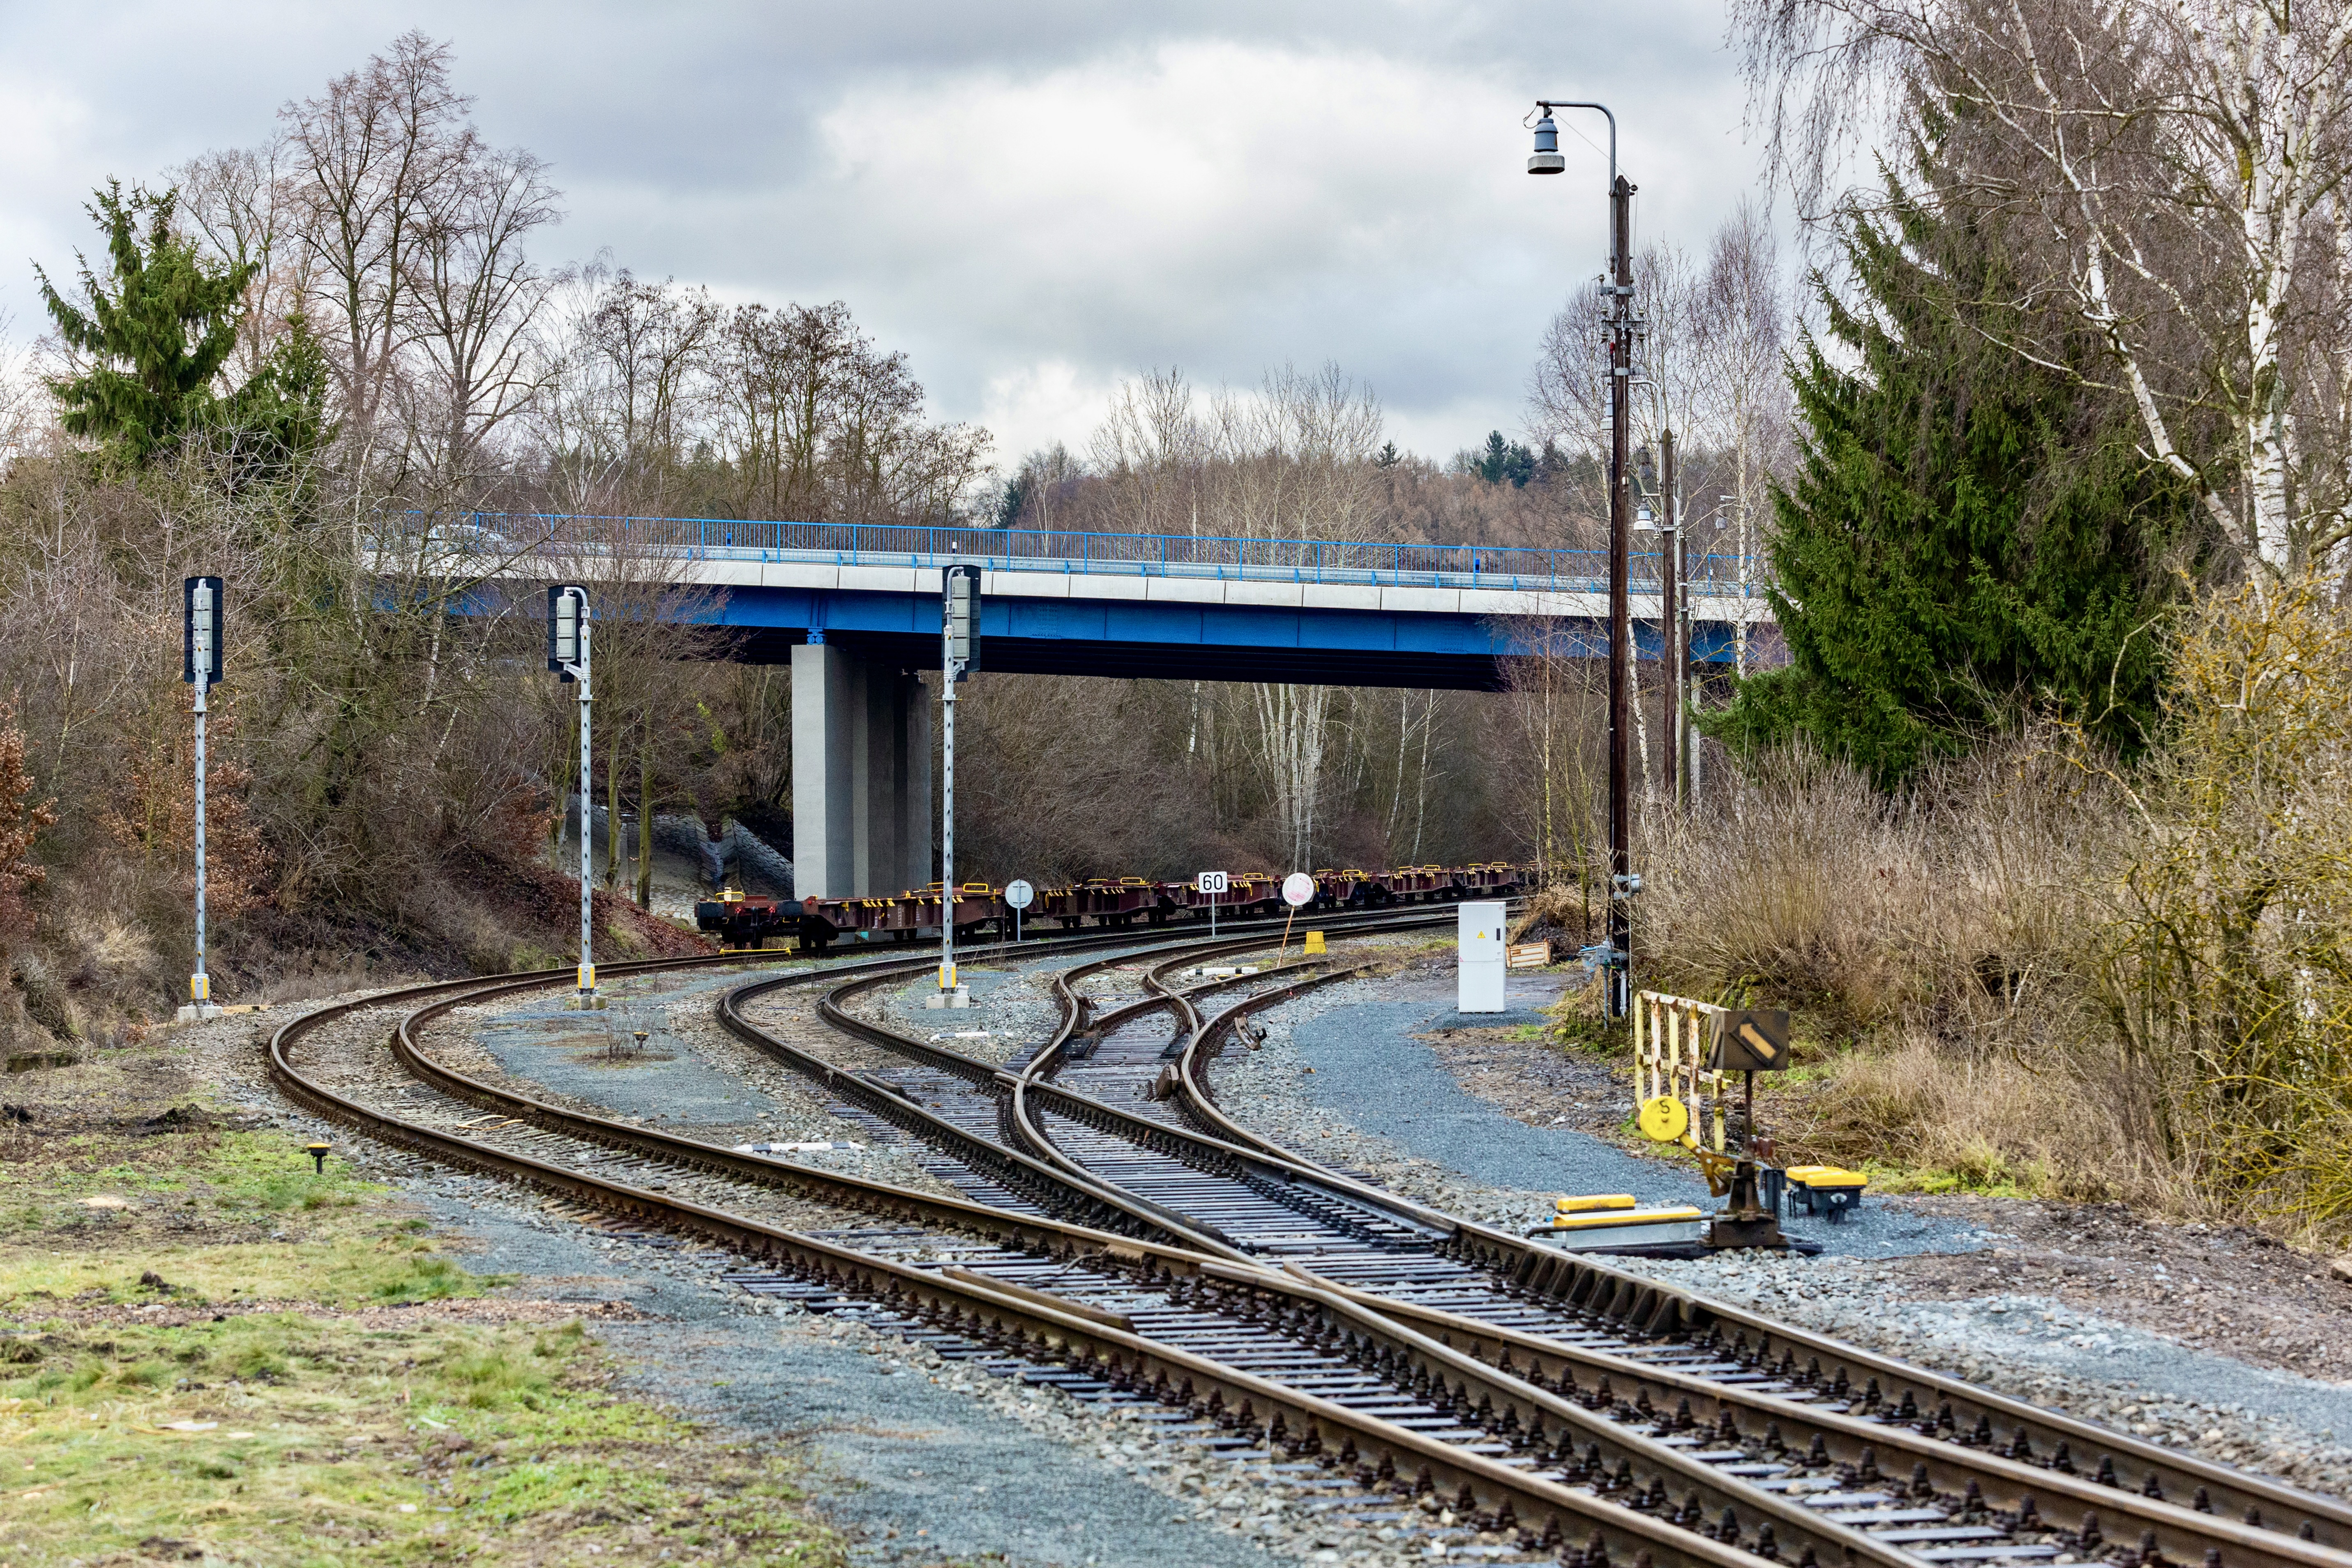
(1140, 605)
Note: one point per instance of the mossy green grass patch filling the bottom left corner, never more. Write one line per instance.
(335, 1442)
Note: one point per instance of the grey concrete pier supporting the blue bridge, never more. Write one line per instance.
(862, 775)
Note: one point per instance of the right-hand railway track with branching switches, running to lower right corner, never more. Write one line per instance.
(1932, 1466)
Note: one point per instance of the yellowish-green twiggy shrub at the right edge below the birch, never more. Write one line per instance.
(2226, 967)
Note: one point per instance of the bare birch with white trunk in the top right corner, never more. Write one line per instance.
(2177, 166)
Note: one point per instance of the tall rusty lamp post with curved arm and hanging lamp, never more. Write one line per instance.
(1619, 326)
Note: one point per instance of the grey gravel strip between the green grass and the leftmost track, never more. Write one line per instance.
(918, 1459)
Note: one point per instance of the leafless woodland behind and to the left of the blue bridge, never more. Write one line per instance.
(309, 363)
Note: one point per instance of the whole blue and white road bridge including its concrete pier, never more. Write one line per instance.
(857, 608)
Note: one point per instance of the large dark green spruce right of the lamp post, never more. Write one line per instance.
(1967, 535)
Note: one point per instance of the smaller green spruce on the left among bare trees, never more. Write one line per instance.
(154, 335)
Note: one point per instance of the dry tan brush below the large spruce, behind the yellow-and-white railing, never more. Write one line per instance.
(1935, 951)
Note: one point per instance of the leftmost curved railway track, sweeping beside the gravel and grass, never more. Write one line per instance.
(1316, 1414)
